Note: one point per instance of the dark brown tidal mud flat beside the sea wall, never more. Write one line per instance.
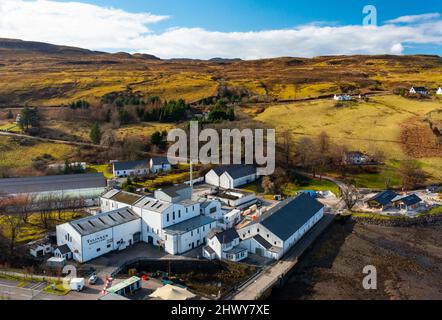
(408, 262)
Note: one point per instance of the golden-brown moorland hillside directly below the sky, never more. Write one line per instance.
(49, 75)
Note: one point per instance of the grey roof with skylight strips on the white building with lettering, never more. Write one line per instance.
(103, 221)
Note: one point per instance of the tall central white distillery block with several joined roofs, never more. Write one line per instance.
(170, 218)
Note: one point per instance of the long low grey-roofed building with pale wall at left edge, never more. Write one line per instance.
(75, 186)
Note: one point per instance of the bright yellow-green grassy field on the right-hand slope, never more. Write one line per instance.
(364, 126)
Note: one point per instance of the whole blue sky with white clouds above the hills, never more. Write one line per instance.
(231, 29)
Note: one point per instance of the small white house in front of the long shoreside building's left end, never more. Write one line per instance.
(225, 246)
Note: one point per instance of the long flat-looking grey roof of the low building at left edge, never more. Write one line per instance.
(52, 183)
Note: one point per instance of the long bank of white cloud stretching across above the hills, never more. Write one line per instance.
(100, 28)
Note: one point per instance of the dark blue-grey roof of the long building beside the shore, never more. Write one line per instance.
(291, 215)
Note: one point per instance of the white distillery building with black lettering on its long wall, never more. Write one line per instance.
(91, 237)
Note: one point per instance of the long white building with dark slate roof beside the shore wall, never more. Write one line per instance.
(282, 227)
